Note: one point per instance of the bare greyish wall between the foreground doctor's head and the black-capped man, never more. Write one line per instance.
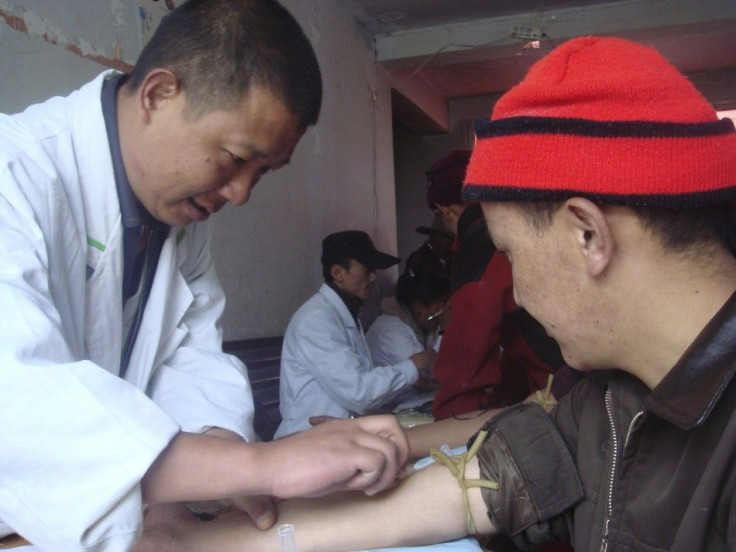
(340, 177)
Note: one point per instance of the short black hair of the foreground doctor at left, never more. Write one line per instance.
(219, 49)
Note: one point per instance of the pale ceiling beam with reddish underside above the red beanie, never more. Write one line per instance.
(413, 60)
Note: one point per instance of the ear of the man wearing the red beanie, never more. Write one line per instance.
(592, 233)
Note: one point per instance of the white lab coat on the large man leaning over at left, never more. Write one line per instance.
(75, 439)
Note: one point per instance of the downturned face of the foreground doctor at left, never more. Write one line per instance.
(187, 169)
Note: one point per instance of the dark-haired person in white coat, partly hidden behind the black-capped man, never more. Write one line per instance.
(410, 319)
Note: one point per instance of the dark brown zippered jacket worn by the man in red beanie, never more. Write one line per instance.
(619, 468)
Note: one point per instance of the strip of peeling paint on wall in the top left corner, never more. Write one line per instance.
(33, 24)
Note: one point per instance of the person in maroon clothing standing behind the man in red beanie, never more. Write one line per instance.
(492, 353)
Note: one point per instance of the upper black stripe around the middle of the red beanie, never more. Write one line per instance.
(485, 128)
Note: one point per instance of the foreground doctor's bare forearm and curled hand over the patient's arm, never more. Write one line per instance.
(364, 454)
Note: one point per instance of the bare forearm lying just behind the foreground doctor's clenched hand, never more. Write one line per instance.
(453, 432)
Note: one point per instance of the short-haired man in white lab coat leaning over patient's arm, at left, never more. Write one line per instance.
(115, 392)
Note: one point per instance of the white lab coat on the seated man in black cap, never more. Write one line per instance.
(326, 367)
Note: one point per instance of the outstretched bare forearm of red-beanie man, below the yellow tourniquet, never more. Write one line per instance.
(426, 508)
